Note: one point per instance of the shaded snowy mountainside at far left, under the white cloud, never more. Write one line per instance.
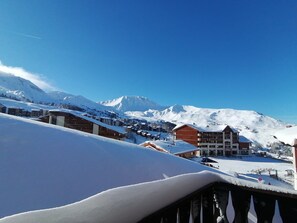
(21, 89)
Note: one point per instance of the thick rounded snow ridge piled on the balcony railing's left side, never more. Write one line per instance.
(127, 204)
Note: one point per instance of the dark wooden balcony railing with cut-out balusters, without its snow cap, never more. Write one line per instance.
(209, 204)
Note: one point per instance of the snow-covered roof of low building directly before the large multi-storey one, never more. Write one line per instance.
(175, 147)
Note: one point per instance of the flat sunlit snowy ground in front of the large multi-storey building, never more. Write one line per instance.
(249, 168)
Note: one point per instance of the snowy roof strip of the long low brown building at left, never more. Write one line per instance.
(80, 115)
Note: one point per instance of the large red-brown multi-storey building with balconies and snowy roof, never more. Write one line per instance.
(221, 140)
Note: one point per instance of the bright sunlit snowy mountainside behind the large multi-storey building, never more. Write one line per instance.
(254, 126)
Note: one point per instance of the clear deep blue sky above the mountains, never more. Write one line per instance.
(206, 53)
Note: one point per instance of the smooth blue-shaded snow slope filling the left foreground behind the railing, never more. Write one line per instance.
(45, 166)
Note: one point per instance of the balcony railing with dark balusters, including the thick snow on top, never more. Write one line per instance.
(195, 197)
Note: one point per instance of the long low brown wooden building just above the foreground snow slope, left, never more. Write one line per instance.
(83, 123)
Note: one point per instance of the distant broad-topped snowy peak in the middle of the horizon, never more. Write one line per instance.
(132, 103)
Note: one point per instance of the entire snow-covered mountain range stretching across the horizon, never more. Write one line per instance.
(256, 127)
